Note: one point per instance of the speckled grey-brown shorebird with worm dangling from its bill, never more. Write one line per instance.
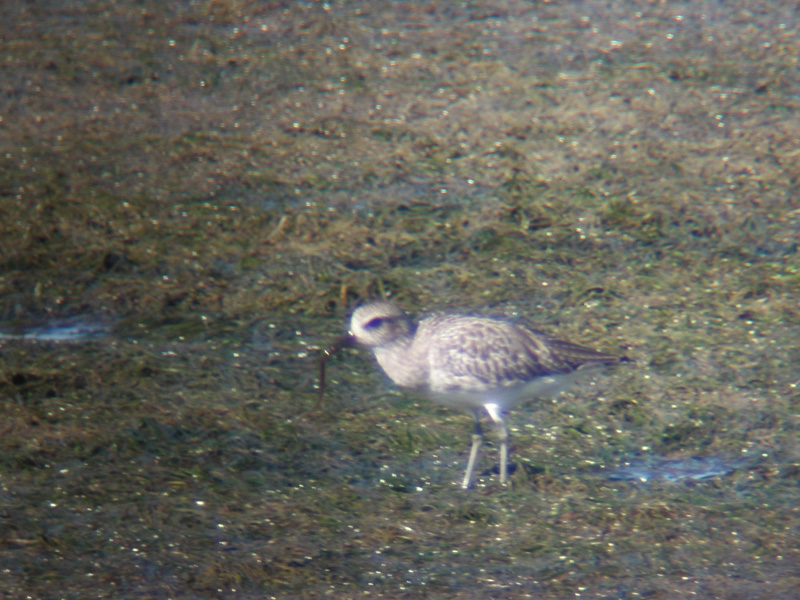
(468, 362)
